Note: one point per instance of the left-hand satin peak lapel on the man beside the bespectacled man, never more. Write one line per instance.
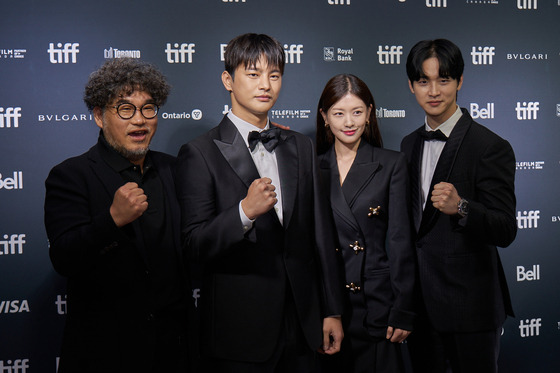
(235, 151)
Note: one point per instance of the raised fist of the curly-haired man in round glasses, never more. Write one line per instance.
(129, 204)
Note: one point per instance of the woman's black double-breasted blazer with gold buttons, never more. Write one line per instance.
(372, 209)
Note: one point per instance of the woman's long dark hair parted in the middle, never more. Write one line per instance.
(338, 87)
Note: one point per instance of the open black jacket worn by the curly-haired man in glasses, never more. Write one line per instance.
(109, 324)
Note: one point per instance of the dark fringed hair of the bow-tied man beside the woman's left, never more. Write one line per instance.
(247, 49)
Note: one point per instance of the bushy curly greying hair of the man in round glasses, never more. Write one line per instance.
(123, 76)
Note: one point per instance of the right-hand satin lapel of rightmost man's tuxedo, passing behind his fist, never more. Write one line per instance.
(444, 166)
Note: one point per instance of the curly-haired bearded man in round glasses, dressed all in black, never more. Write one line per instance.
(112, 219)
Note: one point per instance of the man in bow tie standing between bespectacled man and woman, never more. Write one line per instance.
(254, 217)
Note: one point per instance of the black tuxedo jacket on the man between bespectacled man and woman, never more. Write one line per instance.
(246, 274)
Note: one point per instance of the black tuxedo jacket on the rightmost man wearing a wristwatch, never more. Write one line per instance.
(463, 283)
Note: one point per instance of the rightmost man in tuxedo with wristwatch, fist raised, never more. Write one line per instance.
(463, 204)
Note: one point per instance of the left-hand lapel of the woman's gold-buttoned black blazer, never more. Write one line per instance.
(340, 206)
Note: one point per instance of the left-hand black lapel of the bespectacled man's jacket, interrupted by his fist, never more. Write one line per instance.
(111, 181)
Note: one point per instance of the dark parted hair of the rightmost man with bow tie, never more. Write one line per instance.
(451, 62)
